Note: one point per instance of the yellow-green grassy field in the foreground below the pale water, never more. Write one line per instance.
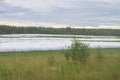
(52, 65)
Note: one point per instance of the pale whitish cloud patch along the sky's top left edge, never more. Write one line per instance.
(40, 5)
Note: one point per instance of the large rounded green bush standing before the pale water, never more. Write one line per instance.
(78, 52)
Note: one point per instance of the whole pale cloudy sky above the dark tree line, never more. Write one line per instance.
(58, 13)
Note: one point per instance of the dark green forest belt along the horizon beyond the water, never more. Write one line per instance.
(5, 29)
